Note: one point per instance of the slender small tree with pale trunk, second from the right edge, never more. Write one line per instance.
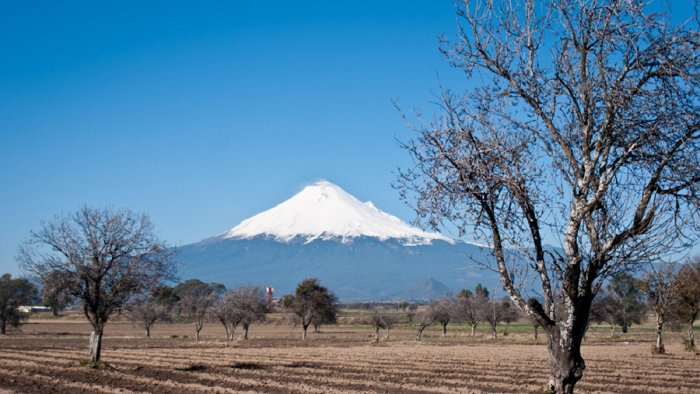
(660, 286)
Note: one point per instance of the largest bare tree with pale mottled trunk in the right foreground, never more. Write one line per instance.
(582, 125)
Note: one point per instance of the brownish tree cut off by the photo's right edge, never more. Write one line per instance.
(686, 308)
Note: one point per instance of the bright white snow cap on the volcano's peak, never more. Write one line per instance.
(324, 210)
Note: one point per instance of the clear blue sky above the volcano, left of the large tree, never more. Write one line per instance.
(203, 114)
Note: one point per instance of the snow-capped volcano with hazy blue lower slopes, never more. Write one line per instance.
(355, 249)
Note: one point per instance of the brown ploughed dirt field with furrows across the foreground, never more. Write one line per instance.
(45, 358)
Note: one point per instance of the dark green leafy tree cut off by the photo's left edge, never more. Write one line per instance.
(13, 294)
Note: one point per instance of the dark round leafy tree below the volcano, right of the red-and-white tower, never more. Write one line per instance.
(312, 301)
